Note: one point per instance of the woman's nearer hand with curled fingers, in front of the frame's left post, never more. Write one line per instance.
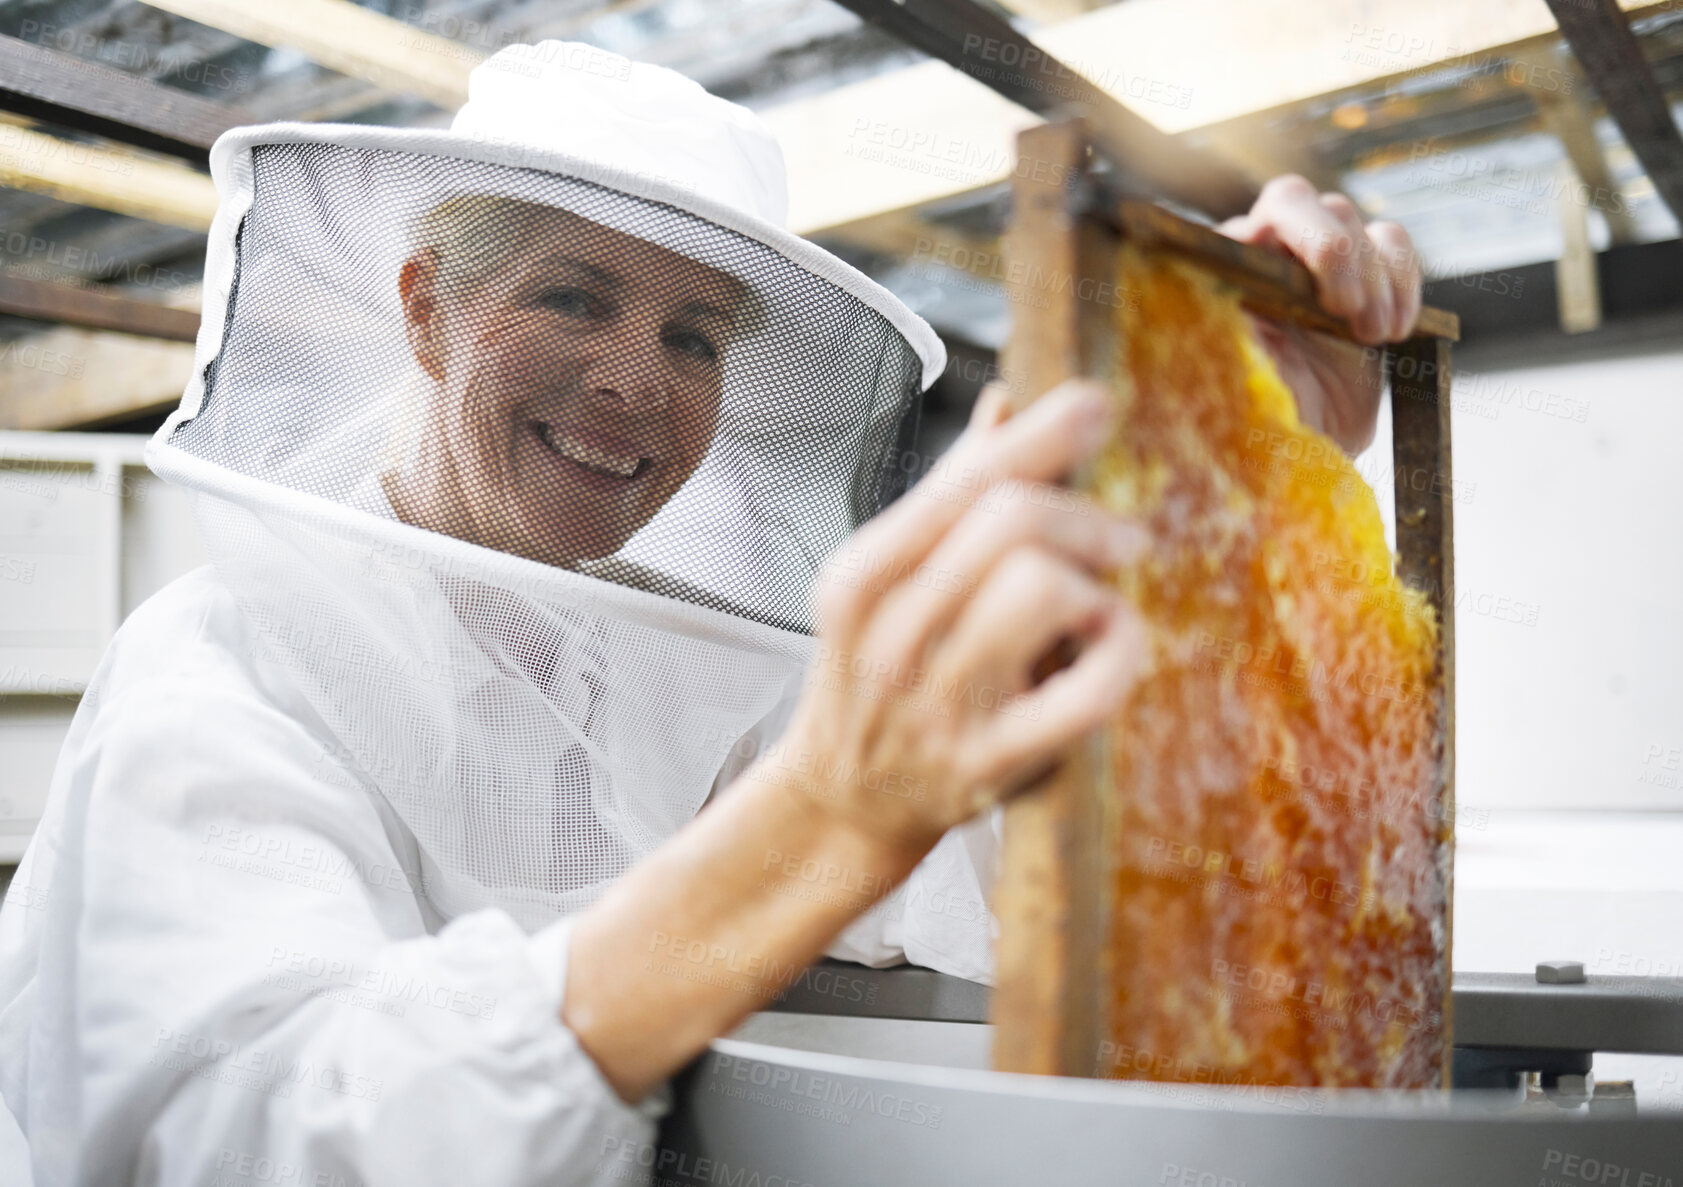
(925, 705)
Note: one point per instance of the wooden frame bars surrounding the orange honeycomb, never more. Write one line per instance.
(1049, 1004)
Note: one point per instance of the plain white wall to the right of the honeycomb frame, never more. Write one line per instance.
(1569, 583)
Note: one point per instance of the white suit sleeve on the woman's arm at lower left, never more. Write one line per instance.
(235, 981)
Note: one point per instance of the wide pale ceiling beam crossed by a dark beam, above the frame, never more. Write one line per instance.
(926, 132)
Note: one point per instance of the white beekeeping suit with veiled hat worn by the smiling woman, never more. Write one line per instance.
(516, 450)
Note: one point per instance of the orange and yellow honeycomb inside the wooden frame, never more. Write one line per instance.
(1282, 833)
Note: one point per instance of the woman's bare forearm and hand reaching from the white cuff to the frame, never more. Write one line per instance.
(923, 710)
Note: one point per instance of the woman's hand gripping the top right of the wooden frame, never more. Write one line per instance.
(1367, 275)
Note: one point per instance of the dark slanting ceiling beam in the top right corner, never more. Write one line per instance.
(1613, 60)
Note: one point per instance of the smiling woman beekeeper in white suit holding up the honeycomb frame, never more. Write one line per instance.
(376, 851)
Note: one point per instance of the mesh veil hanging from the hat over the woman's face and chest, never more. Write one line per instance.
(524, 484)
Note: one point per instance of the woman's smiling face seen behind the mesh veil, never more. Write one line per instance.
(576, 386)
